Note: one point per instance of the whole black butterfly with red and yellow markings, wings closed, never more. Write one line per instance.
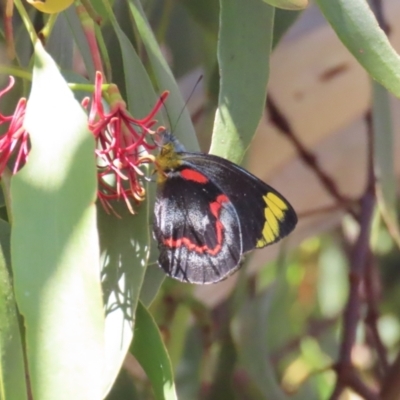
(209, 212)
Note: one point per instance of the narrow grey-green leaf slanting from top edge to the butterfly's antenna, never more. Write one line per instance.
(183, 127)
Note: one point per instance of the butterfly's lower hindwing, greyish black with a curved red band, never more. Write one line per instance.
(197, 229)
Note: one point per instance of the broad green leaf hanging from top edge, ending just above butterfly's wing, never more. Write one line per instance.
(245, 39)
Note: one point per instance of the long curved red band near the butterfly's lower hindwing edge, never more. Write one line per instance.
(215, 208)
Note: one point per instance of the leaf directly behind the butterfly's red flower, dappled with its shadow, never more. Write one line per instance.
(125, 240)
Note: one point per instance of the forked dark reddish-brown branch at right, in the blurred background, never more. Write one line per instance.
(347, 375)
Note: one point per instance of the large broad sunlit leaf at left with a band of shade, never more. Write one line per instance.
(54, 244)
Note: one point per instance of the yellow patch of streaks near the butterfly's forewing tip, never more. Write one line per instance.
(274, 213)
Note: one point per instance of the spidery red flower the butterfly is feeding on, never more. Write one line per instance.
(120, 143)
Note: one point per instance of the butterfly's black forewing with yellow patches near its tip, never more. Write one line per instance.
(265, 216)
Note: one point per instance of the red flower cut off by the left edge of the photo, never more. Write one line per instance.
(15, 141)
